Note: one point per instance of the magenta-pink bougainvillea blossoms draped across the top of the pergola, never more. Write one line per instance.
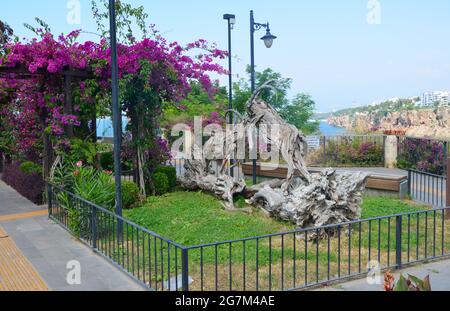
(173, 68)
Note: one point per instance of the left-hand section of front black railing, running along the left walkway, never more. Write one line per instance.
(146, 256)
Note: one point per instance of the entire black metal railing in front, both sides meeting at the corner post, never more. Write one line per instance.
(284, 261)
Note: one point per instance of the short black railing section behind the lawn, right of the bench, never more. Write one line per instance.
(427, 188)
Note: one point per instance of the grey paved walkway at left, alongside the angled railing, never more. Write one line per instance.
(49, 248)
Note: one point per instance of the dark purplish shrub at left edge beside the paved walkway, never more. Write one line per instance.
(31, 186)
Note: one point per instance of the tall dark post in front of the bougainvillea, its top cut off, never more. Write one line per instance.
(117, 114)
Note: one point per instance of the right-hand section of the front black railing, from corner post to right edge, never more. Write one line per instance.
(298, 259)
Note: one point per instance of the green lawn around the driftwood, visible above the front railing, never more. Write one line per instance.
(193, 218)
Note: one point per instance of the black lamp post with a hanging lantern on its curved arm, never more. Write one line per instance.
(268, 41)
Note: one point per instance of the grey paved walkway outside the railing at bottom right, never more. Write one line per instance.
(439, 278)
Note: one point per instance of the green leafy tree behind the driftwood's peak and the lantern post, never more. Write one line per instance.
(297, 111)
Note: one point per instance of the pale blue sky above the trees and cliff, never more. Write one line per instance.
(343, 53)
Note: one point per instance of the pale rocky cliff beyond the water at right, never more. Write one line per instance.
(416, 123)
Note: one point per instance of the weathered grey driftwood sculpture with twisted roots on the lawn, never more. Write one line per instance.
(308, 200)
